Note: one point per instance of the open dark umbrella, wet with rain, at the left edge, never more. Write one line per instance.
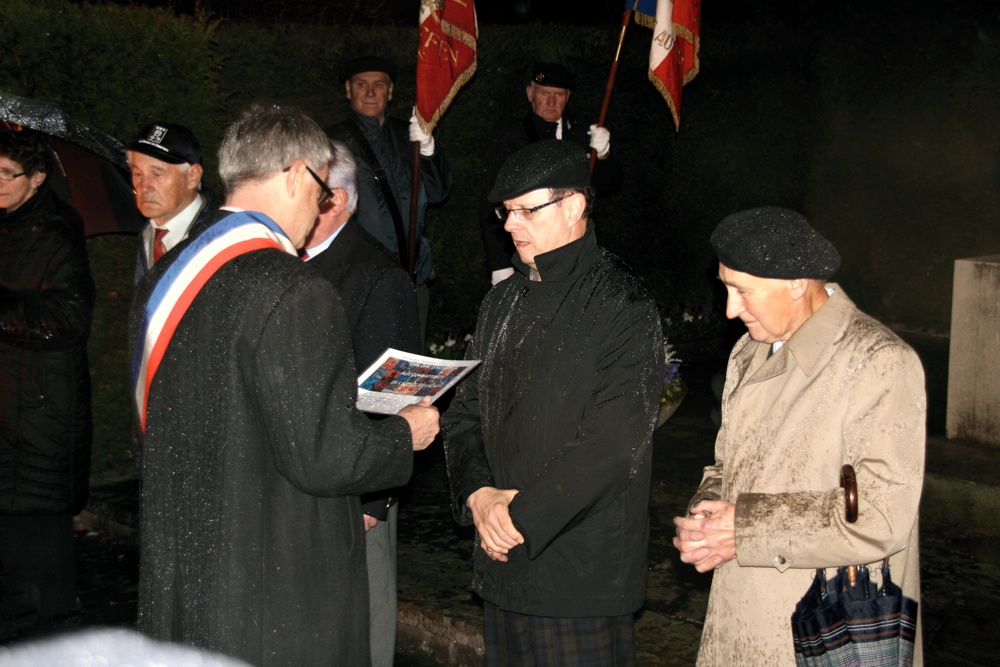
(94, 174)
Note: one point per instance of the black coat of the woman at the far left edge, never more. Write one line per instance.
(46, 303)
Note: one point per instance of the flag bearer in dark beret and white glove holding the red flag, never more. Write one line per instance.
(381, 143)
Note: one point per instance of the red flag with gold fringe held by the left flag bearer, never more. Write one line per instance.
(446, 55)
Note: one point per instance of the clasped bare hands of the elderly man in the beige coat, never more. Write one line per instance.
(707, 538)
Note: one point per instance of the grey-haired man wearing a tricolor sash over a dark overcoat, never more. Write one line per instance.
(252, 541)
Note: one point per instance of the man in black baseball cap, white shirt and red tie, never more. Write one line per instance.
(165, 160)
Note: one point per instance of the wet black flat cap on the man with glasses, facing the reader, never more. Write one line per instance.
(543, 164)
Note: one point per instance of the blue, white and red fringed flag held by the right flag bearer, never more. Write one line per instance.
(673, 57)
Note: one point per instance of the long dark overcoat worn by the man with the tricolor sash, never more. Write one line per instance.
(251, 538)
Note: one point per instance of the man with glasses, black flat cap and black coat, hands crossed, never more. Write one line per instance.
(548, 440)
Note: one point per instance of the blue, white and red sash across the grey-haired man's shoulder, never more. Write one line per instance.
(234, 235)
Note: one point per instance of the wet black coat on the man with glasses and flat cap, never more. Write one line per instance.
(562, 409)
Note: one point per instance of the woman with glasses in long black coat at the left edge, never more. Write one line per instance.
(46, 301)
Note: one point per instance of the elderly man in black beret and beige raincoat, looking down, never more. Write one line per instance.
(814, 384)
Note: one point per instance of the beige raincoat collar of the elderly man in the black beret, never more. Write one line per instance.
(809, 345)
